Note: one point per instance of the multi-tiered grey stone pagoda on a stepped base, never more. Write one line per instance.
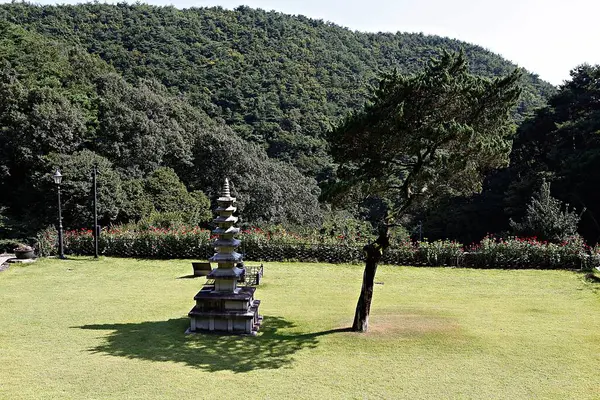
(223, 307)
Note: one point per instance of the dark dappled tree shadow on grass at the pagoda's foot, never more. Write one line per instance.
(273, 348)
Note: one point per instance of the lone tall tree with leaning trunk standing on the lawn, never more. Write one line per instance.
(436, 132)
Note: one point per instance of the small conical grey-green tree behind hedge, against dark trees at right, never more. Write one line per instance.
(546, 219)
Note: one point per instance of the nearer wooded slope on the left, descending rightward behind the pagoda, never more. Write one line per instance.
(62, 107)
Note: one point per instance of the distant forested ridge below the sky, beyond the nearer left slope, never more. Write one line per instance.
(281, 81)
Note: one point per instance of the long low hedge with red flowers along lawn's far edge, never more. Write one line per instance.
(195, 243)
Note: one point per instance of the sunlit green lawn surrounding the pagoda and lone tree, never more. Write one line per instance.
(114, 328)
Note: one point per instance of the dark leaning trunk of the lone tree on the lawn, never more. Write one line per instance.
(374, 252)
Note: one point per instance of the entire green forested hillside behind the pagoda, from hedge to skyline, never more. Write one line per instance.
(167, 102)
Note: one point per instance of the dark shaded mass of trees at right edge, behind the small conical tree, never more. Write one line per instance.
(560, 144)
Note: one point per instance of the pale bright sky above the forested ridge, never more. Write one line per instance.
(547, 37)
